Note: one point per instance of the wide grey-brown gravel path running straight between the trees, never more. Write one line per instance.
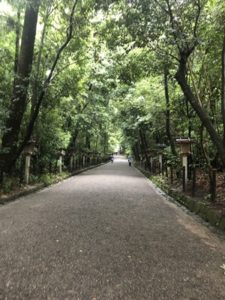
(106, 234)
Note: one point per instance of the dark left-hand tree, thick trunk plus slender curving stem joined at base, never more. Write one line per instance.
(11, 149)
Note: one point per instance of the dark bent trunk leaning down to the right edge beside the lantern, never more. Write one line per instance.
(182, 81)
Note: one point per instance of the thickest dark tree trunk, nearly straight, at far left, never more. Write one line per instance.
(21, 83)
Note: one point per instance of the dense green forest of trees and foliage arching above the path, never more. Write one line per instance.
(96, 77)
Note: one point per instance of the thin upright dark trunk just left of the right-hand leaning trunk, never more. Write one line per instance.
(168, 123)
